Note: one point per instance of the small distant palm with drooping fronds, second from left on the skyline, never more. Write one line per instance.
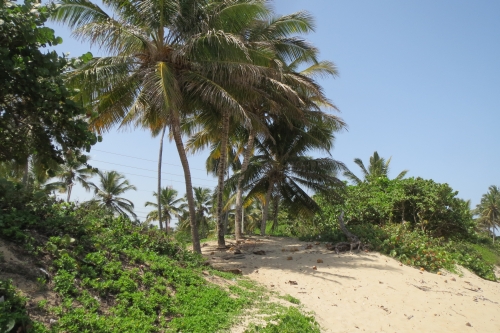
(107, 194)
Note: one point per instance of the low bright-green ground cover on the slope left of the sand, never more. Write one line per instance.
(110, 275)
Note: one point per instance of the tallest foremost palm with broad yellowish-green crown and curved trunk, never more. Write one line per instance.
(167, 59)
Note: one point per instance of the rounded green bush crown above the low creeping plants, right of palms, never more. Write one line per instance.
(424, 204)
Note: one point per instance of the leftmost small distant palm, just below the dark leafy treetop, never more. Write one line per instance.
(72, 172)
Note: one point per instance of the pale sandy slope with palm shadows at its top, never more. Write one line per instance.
(366, 291)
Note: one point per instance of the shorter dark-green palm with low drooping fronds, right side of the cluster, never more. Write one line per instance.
(281, 167)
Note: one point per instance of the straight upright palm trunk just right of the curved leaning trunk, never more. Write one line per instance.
(221, 243)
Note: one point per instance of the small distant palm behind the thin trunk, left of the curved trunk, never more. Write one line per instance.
(170, 206)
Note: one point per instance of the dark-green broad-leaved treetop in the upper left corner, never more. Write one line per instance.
(37, 115)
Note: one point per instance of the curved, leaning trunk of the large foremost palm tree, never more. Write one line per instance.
(176, 131)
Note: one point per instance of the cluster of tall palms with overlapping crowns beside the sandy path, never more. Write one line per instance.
(230, 75)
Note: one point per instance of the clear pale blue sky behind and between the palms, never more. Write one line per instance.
(419, 81)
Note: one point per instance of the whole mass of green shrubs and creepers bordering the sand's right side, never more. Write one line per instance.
(418, 221)
